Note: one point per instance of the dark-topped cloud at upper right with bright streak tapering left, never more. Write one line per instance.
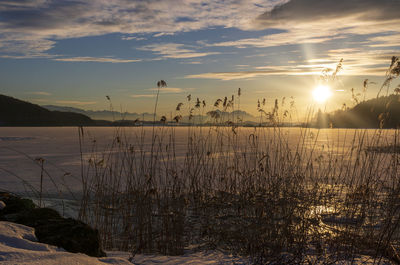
(320, 21)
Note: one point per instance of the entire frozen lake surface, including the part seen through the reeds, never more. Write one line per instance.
(328, 179)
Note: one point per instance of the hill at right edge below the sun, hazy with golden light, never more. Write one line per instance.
(382, 112)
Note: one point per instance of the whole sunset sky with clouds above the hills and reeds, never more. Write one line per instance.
(75, 53)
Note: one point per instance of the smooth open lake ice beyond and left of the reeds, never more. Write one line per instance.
(60, 149)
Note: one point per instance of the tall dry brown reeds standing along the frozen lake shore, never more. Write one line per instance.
(252, 192)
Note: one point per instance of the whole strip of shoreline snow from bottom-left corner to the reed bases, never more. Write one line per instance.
(18, 245)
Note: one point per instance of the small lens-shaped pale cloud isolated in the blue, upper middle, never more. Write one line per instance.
(174, 50)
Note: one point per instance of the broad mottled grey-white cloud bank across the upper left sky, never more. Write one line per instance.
(36, 25)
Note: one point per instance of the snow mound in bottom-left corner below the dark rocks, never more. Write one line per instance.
(18, 245)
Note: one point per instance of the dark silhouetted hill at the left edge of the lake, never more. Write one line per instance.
(15, 112)
